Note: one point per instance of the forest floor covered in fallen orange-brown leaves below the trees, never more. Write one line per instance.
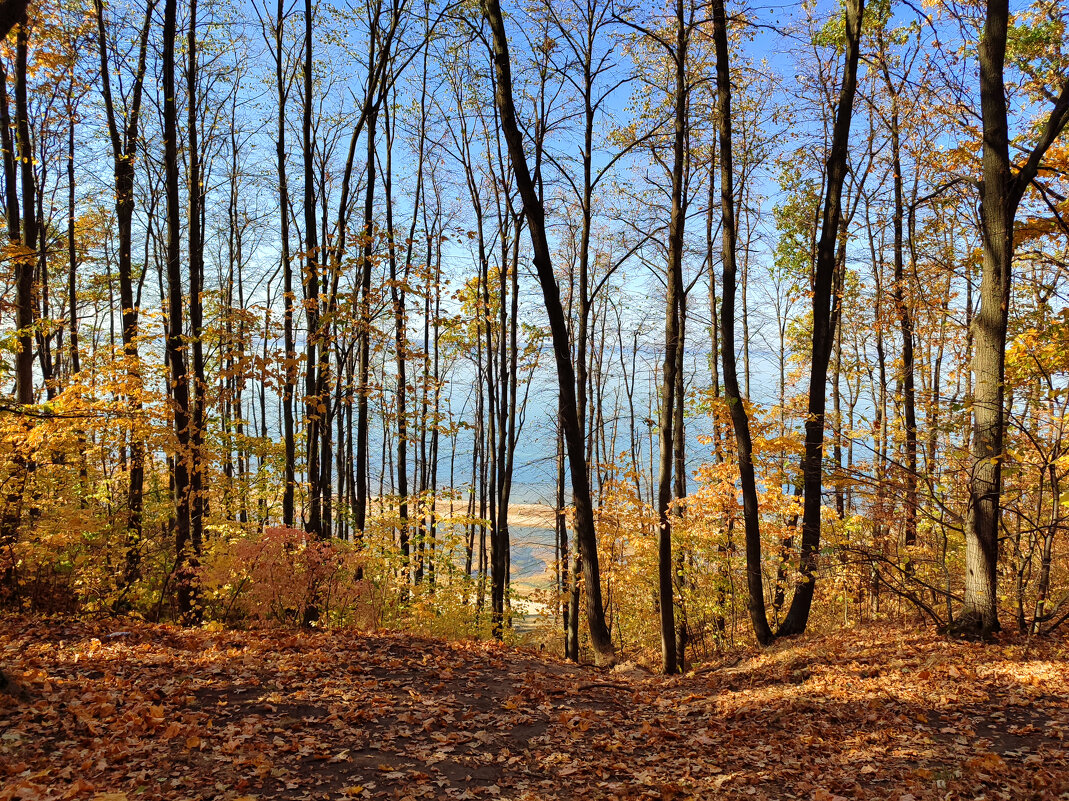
(117, 711)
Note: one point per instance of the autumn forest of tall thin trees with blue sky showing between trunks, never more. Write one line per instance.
(730, 324)
